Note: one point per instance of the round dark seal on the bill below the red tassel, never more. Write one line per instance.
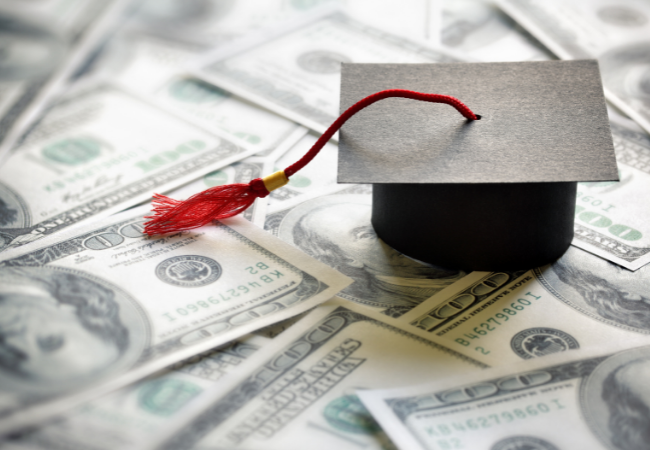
(189, 271)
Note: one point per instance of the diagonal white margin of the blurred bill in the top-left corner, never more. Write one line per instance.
(59, 79)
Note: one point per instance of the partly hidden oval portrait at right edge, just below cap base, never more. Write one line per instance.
(601, 289)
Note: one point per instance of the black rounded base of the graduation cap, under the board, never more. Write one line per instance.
(495, 226)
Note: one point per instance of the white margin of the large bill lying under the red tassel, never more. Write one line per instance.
(41, 411)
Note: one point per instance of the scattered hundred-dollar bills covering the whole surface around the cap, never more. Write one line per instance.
(293, 325)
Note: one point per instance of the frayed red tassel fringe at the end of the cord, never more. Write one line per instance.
(218, 202)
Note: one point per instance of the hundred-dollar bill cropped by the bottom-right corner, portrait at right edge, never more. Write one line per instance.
(567, 401)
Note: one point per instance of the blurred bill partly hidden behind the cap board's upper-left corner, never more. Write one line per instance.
(296, 74)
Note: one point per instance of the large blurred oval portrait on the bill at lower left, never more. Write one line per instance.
(59, 328)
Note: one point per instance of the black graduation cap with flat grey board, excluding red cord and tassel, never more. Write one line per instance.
(498, 193)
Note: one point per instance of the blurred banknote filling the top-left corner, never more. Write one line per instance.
(43, 44)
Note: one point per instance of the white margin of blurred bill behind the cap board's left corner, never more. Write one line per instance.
(197, 70)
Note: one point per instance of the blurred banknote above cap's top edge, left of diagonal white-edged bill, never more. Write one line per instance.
(479, 29)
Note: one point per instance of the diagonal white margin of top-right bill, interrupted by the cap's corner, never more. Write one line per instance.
(509, 8)
